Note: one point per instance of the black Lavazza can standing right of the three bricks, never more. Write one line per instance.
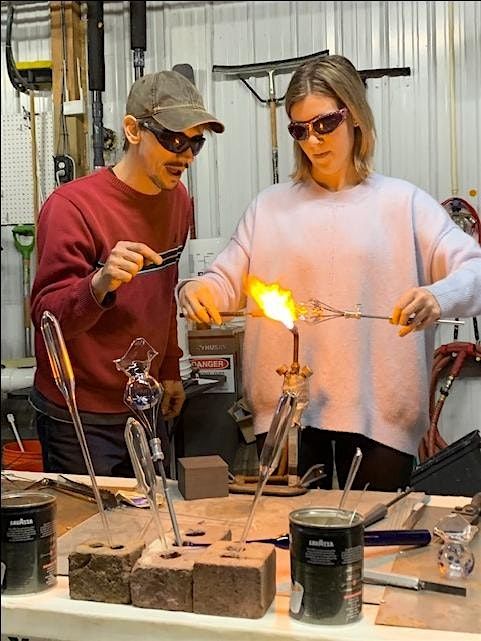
(326, 551)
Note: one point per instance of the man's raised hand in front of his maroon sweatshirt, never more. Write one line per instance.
(123, 263)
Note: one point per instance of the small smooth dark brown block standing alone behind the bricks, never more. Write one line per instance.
(202, 477)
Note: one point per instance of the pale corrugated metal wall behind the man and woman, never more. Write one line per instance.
(412, 113)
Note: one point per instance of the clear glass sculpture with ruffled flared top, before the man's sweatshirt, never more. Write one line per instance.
(142, 392)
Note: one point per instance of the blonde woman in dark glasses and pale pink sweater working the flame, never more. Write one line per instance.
(343, 234)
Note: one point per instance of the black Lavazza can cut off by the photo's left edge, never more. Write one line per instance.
(29, 542)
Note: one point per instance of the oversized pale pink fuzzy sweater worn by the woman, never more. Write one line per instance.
(367, 245)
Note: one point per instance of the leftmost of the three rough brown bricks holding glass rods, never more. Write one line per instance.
(98, 572)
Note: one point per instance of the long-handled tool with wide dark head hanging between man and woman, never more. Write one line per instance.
(271, 69)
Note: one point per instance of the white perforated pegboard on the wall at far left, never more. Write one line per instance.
(17, 174)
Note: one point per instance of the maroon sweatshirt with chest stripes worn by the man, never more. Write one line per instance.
(78, 226)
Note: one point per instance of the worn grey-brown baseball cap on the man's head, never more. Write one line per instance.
(172, 100)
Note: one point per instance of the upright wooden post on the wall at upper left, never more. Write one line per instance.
(68, 30)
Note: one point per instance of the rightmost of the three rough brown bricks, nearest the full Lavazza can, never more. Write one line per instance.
(237, 587)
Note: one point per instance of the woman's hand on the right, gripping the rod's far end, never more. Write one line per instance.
(416, 310)
